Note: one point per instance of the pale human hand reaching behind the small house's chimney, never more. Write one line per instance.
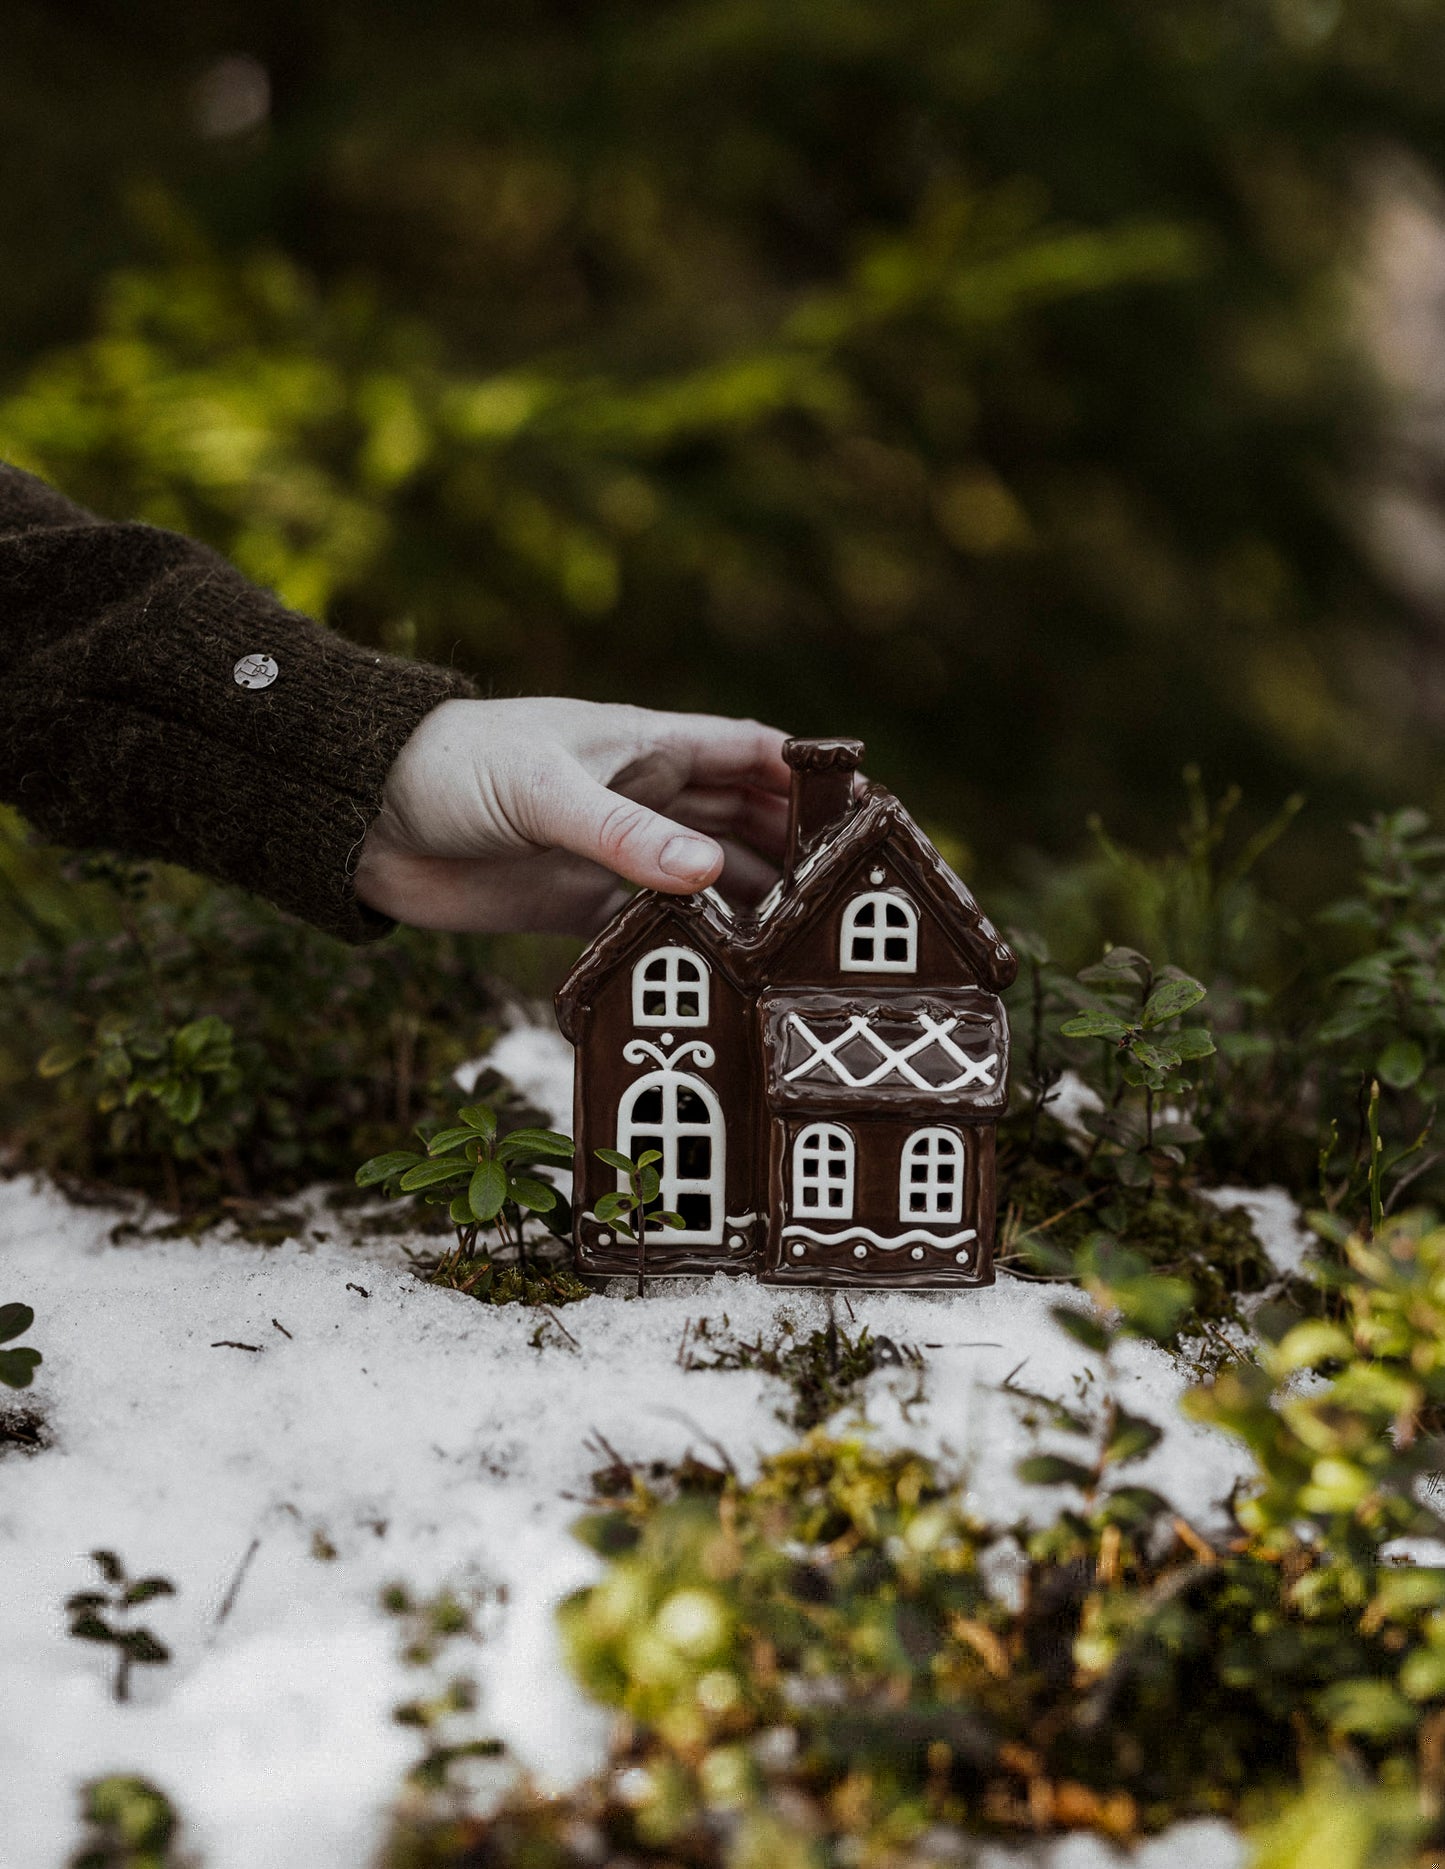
(521, 816)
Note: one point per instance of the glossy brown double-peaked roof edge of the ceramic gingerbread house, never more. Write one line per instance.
(741, 945)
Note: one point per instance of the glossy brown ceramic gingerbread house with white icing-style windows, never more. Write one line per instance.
(822, 1077)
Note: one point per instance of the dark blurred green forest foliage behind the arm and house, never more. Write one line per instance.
(1012, 382)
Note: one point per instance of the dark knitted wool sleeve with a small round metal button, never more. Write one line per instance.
(122, 720)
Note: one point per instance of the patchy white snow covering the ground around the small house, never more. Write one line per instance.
(420, 1438)
